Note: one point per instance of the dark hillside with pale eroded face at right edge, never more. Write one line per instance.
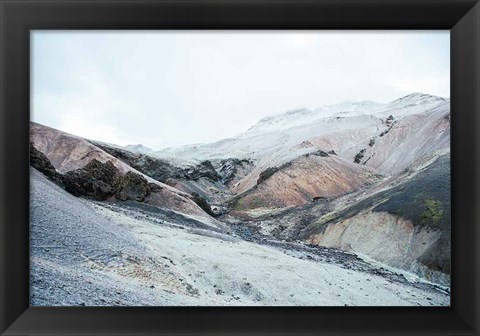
(405, 226)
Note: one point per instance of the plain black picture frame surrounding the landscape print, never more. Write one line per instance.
(18, 17)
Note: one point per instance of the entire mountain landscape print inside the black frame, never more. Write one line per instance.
(240, 168)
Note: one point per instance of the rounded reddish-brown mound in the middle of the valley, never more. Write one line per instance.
(310, 177)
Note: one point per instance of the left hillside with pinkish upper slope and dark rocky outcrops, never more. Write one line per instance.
(89, 171)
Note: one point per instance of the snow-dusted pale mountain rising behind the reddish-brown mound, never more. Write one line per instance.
(386, 137)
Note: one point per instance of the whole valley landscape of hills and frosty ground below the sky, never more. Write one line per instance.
(340, 205)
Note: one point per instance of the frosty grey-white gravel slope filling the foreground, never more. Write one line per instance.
(88, 253)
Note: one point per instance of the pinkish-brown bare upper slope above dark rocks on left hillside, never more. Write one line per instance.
(68, 152)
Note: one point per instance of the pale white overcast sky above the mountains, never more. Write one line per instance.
(165, 88)
